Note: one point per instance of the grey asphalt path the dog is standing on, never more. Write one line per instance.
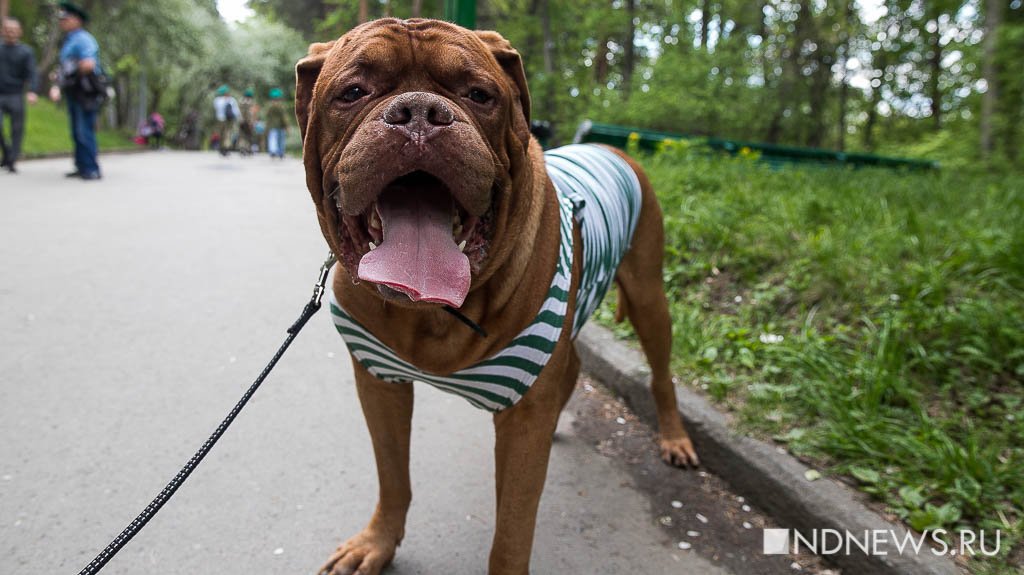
(138, 309)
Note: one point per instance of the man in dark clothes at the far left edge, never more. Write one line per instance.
(18, 72)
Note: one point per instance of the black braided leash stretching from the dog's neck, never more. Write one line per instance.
(136, 526)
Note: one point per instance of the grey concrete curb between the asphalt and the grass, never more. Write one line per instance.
(772, 479)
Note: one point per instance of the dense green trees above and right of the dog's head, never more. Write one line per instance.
(892, 76)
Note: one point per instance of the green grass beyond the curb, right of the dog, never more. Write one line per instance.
(872, 321)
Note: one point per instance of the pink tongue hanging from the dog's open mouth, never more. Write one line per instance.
(418, 256)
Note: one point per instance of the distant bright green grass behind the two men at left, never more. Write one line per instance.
(48, 131)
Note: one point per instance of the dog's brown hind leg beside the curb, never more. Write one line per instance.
(643, 289)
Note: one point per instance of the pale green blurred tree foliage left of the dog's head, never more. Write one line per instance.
(169, 56)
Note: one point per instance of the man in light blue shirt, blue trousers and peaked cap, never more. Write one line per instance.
(79, 65)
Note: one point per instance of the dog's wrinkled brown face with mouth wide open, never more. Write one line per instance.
(413, 135)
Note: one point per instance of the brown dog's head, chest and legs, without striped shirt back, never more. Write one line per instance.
(431, 190)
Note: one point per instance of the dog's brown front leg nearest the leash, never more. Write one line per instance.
(389, 411)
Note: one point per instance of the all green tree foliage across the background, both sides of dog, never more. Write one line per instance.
(900, 77)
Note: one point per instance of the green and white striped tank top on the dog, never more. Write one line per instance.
(599, 191)
